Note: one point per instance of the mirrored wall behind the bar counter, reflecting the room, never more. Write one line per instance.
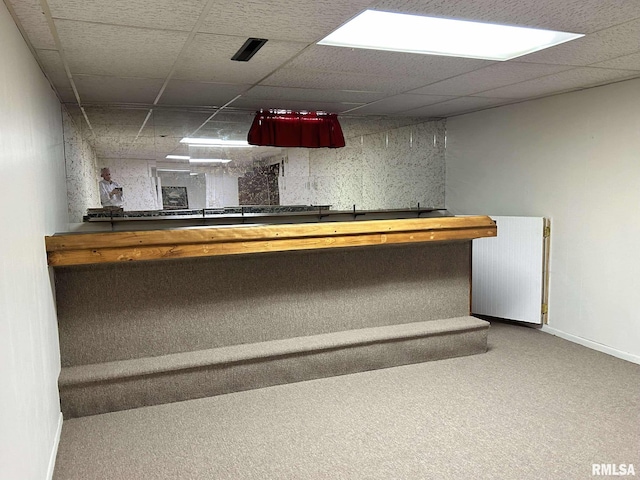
(387, 163)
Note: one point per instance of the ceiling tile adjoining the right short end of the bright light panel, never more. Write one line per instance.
(597, 47)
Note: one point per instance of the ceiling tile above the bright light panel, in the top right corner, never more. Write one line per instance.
(579, 16)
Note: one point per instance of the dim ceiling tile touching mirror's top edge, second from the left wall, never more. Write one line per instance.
(116, 89)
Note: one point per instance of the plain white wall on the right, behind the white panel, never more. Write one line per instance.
(574, 158)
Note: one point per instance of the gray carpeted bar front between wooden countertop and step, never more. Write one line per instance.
(171, 306)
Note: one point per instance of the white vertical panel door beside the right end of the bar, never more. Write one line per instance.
(508, 270)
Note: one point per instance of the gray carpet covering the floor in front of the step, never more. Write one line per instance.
(533, 407)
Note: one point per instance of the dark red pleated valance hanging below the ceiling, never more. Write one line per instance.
(296, 129)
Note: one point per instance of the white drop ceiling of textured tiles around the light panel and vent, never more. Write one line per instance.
(138, 75)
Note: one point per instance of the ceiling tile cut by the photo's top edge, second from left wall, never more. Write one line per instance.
(159, 14)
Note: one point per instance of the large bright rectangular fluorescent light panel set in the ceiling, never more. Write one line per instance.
(399, 32)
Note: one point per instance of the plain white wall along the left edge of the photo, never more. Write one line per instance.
(35, 205)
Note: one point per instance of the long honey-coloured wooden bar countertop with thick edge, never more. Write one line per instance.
(89, 248)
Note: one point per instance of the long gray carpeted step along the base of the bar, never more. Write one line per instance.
(120, 385)
